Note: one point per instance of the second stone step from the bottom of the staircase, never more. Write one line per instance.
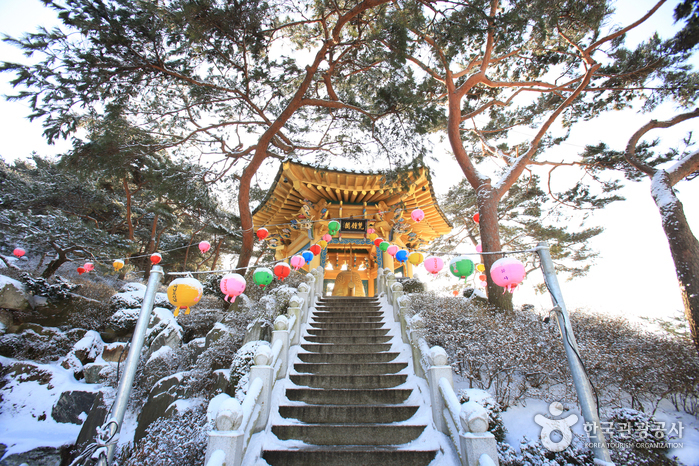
(349, 434)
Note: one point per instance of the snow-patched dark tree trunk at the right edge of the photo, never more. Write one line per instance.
(684, 248)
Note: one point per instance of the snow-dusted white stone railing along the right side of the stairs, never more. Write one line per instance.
(467, 423)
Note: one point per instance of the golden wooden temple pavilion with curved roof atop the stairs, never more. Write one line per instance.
(305, 198)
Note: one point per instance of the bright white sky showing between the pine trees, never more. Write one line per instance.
(633, 276)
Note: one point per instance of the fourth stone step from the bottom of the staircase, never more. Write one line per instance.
(348, 396)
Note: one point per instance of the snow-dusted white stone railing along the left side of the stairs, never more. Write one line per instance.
(235, 422)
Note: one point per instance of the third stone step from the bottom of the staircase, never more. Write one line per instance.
(348, 414)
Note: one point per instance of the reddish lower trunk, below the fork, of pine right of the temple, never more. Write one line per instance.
(490, 241)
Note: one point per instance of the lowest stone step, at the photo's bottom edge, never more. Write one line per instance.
(348, 456)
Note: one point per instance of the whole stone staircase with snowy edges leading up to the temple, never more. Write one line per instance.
(349, 399)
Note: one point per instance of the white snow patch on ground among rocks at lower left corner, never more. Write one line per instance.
(25, 413)
